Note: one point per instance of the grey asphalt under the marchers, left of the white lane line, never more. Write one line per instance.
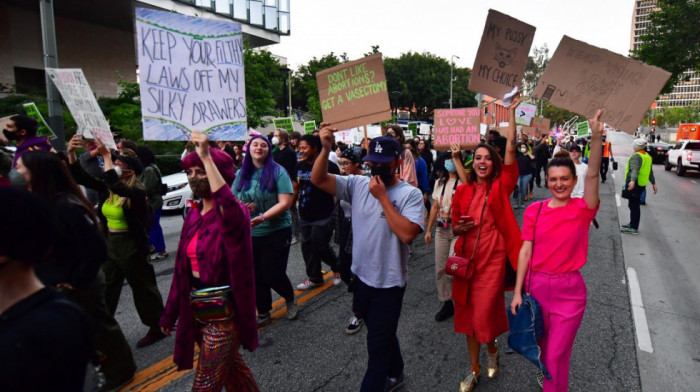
(313, 353)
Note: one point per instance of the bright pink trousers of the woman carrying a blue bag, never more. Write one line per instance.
(562, 297)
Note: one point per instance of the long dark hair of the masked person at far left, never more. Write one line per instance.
(51, 180)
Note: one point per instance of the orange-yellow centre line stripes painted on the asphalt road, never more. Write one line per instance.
(165, 371)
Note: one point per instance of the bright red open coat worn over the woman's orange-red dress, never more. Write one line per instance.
(499, 206)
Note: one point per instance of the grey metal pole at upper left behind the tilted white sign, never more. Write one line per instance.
(53, 97)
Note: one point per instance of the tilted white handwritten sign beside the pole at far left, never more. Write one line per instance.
(76, 92)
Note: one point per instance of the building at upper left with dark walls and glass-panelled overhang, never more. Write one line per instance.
(98, 36)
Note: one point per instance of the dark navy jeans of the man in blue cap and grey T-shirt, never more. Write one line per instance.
(381, 309)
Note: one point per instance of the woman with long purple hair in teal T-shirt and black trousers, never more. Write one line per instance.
(266, 189)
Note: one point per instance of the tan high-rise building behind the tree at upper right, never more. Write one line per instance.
(685, 93)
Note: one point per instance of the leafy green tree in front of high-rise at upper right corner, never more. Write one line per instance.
(672, 41)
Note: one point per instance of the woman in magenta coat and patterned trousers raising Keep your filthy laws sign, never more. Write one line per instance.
(214, 255)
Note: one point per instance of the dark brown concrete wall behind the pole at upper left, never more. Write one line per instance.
(99, 51)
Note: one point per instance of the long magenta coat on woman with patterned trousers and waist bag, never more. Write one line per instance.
(224, 252)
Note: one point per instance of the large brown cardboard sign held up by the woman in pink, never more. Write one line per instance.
(583, 78)
